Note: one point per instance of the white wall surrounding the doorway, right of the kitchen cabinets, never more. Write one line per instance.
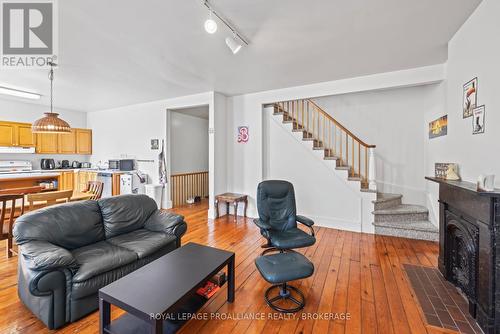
(127, 132)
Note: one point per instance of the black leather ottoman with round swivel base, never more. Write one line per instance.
(278, 269)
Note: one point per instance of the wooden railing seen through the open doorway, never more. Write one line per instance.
(187, 185)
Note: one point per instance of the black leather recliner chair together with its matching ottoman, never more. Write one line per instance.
(278, 224)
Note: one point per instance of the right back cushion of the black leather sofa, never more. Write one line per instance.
(125, 213)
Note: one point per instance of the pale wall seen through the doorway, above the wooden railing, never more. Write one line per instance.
(189, 143)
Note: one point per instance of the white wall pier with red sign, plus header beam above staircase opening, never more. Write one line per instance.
(245, 163)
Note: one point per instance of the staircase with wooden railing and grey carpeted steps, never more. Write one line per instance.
(356, 158)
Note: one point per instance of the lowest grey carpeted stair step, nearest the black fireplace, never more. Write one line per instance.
(422, 230)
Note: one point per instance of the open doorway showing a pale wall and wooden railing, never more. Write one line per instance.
(189, 155)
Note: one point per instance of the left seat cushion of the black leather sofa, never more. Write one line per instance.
(99, 258)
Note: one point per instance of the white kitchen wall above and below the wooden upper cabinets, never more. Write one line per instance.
(16, 110)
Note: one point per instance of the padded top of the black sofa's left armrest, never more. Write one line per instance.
(43, 256)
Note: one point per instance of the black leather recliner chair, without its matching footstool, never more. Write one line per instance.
(278, 217)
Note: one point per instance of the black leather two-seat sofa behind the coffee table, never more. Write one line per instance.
(68, 252)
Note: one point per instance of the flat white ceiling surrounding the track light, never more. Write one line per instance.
(120, 52)
